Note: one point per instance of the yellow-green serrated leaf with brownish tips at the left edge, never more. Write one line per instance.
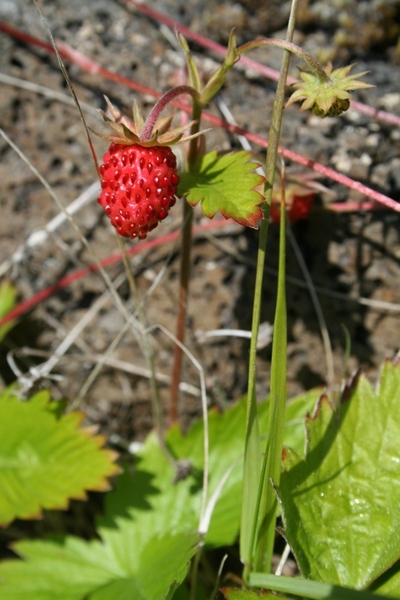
(46, 460)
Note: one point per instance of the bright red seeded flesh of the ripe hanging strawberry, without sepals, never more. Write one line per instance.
(139, 184)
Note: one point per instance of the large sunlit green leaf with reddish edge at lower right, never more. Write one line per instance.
(341, 505)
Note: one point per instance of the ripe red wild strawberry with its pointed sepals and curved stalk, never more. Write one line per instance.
(139, 177)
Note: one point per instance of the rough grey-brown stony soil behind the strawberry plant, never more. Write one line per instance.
(353, 258)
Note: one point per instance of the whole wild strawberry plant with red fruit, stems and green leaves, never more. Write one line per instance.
(321, 469)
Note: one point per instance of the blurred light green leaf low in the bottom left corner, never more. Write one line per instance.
(72, 569)
